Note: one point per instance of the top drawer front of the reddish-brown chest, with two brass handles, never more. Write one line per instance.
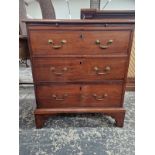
(48, 42)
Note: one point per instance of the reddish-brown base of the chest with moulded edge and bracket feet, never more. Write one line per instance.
(42, 114)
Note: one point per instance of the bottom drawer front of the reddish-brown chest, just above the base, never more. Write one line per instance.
(100, 95)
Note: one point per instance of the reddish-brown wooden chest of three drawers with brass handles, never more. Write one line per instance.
(79, 66)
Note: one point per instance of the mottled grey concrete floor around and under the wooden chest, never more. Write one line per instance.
(73, 134)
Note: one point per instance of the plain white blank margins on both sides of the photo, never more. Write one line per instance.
(145, 77)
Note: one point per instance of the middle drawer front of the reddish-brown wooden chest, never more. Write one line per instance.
(78, 69)
